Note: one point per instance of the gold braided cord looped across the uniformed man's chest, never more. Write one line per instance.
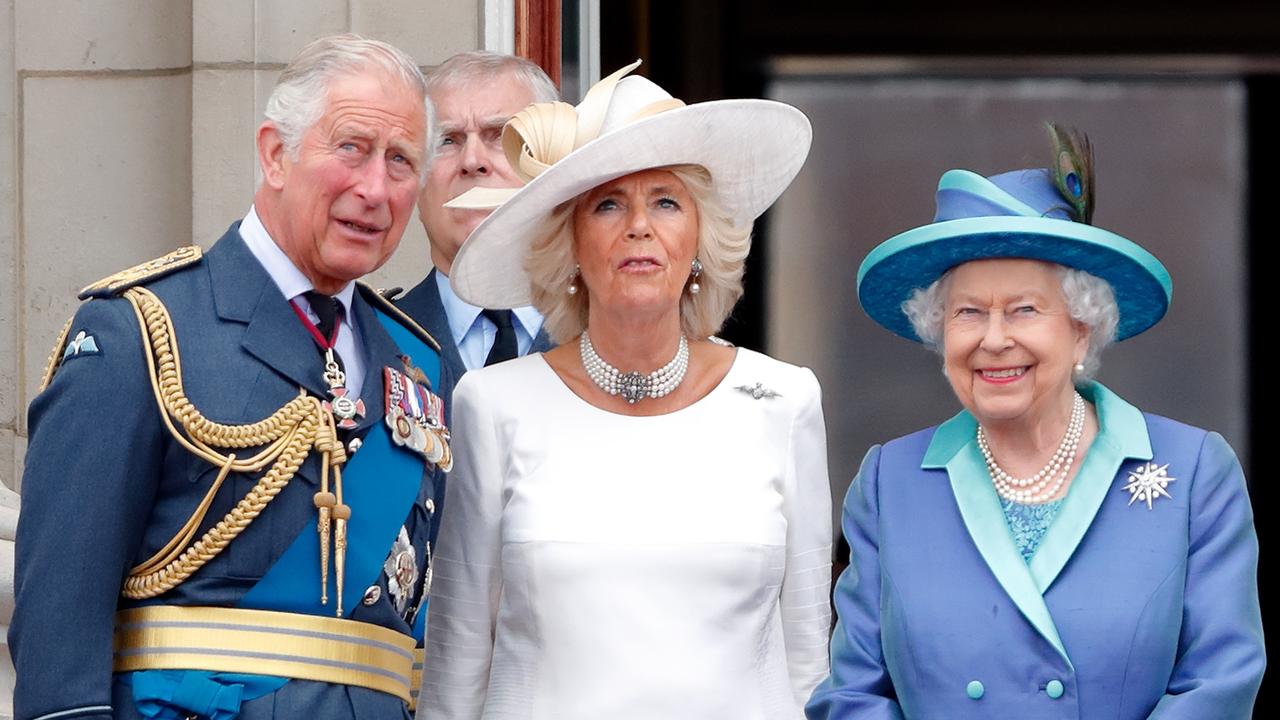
(289, 436)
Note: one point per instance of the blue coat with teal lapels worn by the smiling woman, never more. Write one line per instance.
(1123, 613)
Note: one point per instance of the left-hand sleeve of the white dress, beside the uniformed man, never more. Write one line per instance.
(468, 566)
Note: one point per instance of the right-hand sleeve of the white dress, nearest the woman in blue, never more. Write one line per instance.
(807, 582)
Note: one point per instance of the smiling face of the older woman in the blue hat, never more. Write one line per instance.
(1009, 343)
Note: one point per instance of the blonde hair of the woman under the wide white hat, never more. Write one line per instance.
(723, 249)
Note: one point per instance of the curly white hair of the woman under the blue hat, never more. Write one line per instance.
(1090, 300)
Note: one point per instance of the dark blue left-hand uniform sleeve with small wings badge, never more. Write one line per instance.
(93, 466)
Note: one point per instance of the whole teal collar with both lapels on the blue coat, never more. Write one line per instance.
(1122, 435)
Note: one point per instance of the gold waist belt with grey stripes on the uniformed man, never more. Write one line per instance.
(227, 640)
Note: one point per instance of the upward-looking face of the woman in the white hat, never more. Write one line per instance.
(636, 239)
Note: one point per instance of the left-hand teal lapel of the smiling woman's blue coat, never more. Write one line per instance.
(956, 448)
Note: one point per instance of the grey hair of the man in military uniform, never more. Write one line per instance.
(301, 93)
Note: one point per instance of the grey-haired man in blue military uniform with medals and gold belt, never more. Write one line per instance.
(232, 467)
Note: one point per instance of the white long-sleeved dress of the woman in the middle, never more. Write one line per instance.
(601, 566)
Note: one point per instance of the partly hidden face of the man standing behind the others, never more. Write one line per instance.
(470, 121)
